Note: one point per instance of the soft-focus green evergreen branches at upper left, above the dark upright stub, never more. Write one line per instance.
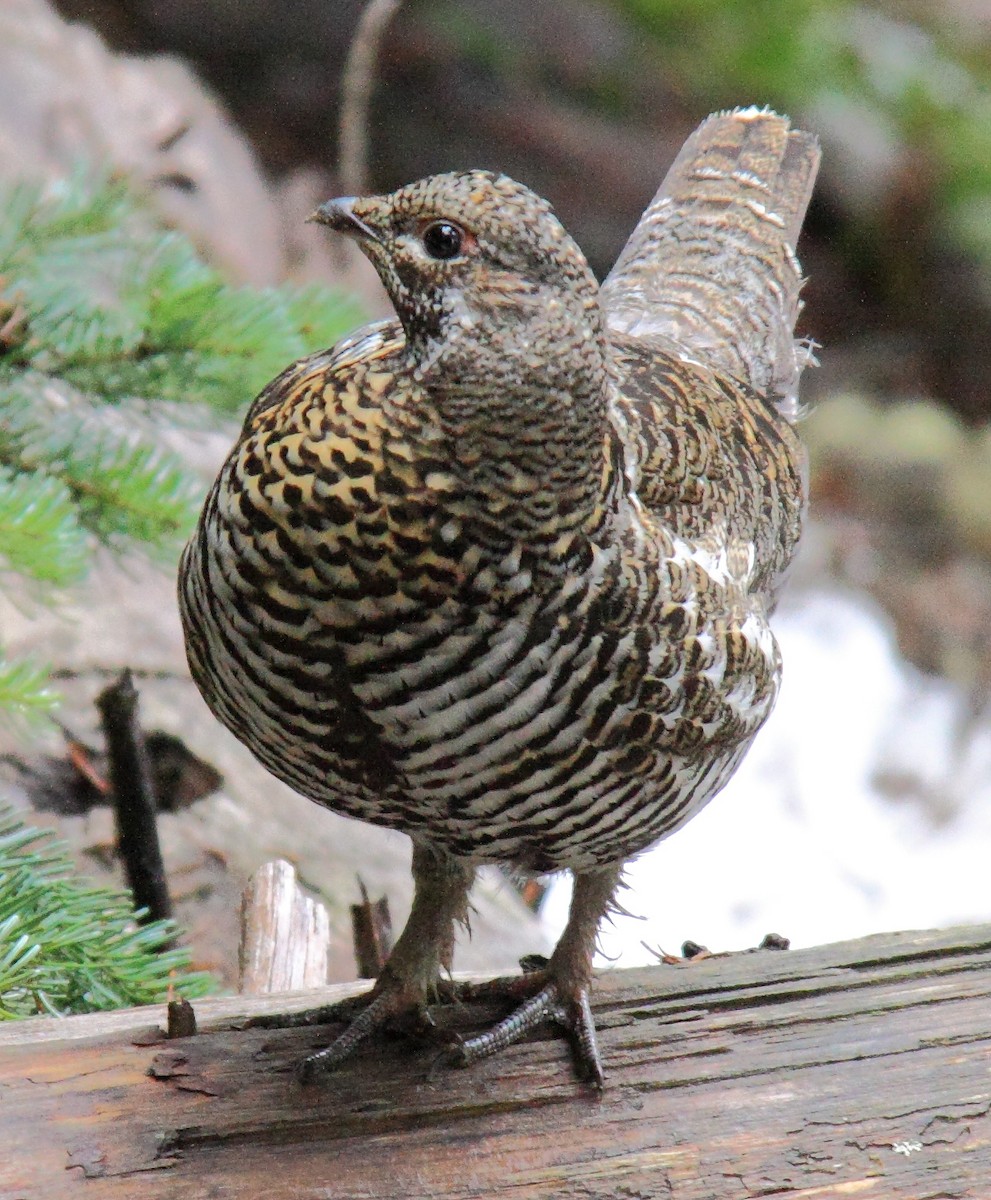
(112, 329)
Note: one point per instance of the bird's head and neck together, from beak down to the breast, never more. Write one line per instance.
(503, 331)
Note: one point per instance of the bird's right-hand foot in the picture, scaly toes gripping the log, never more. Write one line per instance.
(550, 999)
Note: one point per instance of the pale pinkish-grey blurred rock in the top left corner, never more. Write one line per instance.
(67, 100)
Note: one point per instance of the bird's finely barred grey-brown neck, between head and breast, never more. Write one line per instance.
(524, 410)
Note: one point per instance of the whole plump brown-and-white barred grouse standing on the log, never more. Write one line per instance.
(498, 574)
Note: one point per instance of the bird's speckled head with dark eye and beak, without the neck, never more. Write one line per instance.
(481, 271)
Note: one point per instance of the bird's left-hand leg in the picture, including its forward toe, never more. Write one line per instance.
(410, 979)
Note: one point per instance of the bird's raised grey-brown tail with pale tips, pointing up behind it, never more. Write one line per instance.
(711, 269)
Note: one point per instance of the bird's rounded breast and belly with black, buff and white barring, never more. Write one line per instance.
(381, 651)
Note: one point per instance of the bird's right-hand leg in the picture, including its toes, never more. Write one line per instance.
(562, 989)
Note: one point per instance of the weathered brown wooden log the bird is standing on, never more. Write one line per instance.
(858, 1070)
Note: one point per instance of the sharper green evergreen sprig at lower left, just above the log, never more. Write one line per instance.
(68, 946)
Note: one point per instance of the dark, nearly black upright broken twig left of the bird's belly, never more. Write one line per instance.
(134, 799)
